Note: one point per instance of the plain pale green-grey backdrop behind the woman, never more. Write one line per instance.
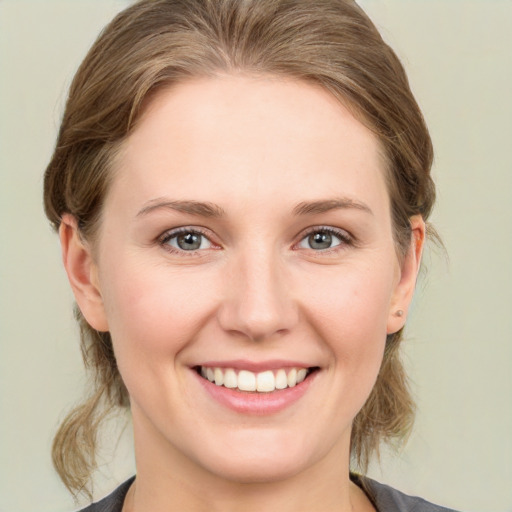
(459, 338)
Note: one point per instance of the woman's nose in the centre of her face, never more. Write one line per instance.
(258, 302)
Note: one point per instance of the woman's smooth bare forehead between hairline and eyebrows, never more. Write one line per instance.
(248, 136)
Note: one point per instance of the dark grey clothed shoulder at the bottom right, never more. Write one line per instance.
(387, 499)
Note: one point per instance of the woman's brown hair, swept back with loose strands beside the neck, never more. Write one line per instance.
(155, 43)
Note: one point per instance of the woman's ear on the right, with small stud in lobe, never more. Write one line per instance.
(409, 269)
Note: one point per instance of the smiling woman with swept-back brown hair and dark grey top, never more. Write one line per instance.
(241, 190)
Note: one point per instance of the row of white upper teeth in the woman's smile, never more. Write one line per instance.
(263, 382)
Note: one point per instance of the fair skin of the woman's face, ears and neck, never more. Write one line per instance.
(256, 147)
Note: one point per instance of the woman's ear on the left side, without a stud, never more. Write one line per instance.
(82, 273)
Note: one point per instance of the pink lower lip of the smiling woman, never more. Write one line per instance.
(256, 403)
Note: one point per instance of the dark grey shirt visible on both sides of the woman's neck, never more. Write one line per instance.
(383, 497)
